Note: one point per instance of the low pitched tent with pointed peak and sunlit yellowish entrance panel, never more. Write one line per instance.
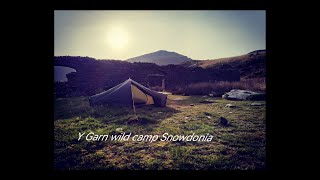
(128, 93)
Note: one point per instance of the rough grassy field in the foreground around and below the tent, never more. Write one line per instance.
(241, 145)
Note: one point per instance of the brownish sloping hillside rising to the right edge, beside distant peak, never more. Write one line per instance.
(251, 65)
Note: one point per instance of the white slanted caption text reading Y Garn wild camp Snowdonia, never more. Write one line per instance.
(140, 138)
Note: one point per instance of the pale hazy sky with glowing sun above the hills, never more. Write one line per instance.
(121, 35)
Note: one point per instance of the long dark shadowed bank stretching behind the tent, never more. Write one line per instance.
(93, 76)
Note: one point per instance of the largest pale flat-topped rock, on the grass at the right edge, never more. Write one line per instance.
(237, 94)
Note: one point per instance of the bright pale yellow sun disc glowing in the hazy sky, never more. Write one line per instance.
(117, 38)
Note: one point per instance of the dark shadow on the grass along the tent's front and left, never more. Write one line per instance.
(71, 108)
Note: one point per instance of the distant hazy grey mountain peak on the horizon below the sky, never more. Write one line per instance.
(161, 58)
